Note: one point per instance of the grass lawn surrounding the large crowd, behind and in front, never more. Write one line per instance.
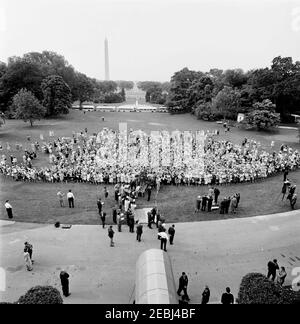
(37, 202)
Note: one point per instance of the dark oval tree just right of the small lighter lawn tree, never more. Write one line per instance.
(57, 95)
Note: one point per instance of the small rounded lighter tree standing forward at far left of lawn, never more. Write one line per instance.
(26, 106)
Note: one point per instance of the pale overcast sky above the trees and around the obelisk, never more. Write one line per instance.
(151, 39)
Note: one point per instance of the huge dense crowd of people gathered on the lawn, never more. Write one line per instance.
(84, 158)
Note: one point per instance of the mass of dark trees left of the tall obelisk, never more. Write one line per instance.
(39, 85)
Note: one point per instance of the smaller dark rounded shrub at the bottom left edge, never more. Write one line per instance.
(41, 295)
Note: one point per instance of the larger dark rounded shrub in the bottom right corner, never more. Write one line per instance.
(255, 288)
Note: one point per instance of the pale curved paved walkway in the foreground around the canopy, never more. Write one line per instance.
(217, 253)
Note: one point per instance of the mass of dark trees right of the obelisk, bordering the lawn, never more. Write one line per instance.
(263, 94)
